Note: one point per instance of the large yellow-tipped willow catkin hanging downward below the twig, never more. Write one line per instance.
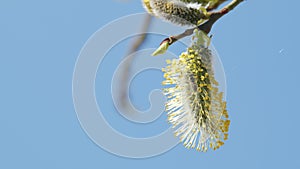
(195, 106)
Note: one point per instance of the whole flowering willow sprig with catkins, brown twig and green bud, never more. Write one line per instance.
(195, 106)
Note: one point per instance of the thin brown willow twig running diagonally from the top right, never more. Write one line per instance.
(206, 26)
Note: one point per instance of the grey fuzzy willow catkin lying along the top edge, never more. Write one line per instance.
(175, 11)
